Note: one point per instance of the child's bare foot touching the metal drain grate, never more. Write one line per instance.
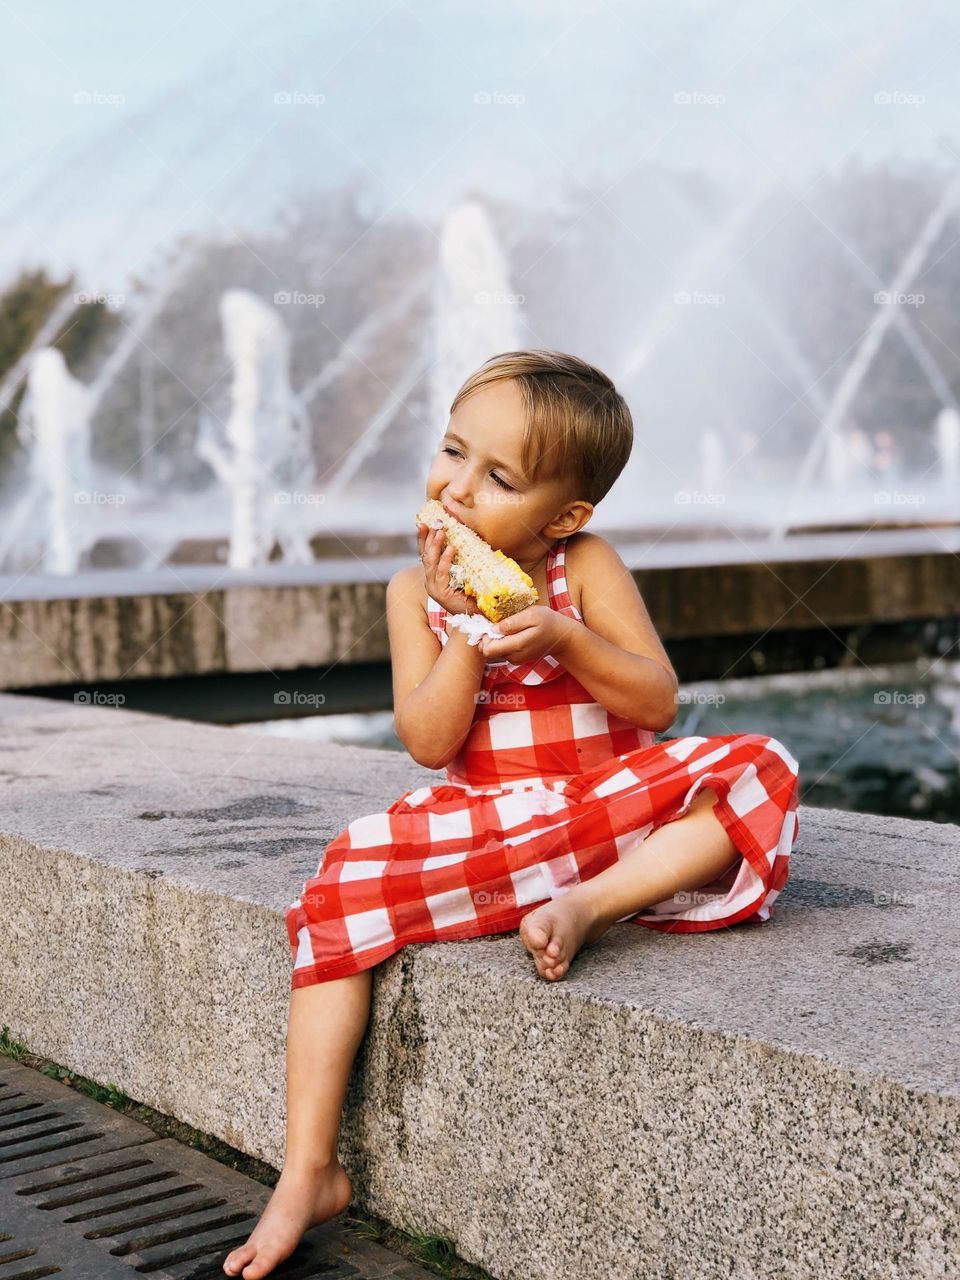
(300, 1201)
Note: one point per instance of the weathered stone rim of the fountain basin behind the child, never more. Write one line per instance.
(198, 621)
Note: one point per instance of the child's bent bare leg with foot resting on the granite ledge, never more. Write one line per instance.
(682, 856)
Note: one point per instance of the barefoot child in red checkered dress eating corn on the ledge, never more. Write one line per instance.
(560, 815)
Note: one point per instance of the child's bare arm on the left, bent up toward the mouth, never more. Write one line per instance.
(435, 687)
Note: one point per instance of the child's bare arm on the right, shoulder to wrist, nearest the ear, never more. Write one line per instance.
(618, 656)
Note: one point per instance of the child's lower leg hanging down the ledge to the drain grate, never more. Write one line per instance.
(324, 1030)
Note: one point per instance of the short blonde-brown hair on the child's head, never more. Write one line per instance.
(578, 424)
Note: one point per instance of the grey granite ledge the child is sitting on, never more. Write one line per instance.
(781, 1100)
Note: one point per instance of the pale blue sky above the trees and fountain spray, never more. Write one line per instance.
(129, 125)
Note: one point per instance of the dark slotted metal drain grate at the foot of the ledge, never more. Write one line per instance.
(90, 1195)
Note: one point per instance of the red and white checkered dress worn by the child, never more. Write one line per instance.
(547, 790)
